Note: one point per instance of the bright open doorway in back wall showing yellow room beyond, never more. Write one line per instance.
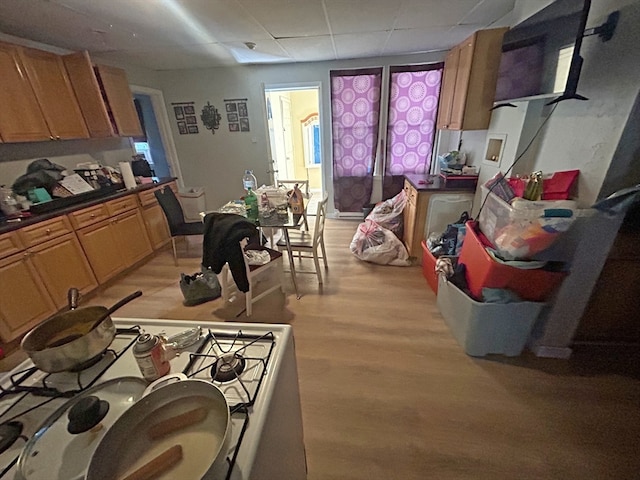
(295, 136)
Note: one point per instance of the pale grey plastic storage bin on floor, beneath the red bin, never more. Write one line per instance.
(483, 328)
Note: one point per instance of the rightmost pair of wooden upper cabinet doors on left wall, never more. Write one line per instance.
(105, 97)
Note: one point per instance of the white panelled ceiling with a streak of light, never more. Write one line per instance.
(182, 34)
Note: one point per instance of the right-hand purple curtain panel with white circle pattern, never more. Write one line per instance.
(413, 105)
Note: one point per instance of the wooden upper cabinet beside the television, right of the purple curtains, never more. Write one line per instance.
(469, 81)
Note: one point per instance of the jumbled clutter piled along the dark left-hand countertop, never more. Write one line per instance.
(47, 189)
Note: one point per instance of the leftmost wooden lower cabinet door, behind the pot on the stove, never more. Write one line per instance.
(25, 300)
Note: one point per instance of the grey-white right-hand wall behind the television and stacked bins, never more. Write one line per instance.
(579, 135)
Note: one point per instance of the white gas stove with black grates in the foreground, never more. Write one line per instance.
(254, 365)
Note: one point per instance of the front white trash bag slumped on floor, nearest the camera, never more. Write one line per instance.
(376, 244)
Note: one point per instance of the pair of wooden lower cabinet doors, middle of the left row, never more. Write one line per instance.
(115, 244)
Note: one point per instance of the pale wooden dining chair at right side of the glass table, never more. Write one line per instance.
(310, 244)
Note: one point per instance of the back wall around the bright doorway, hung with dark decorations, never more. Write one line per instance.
(218, 161)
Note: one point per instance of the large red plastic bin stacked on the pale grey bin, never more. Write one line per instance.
(535, 285)
